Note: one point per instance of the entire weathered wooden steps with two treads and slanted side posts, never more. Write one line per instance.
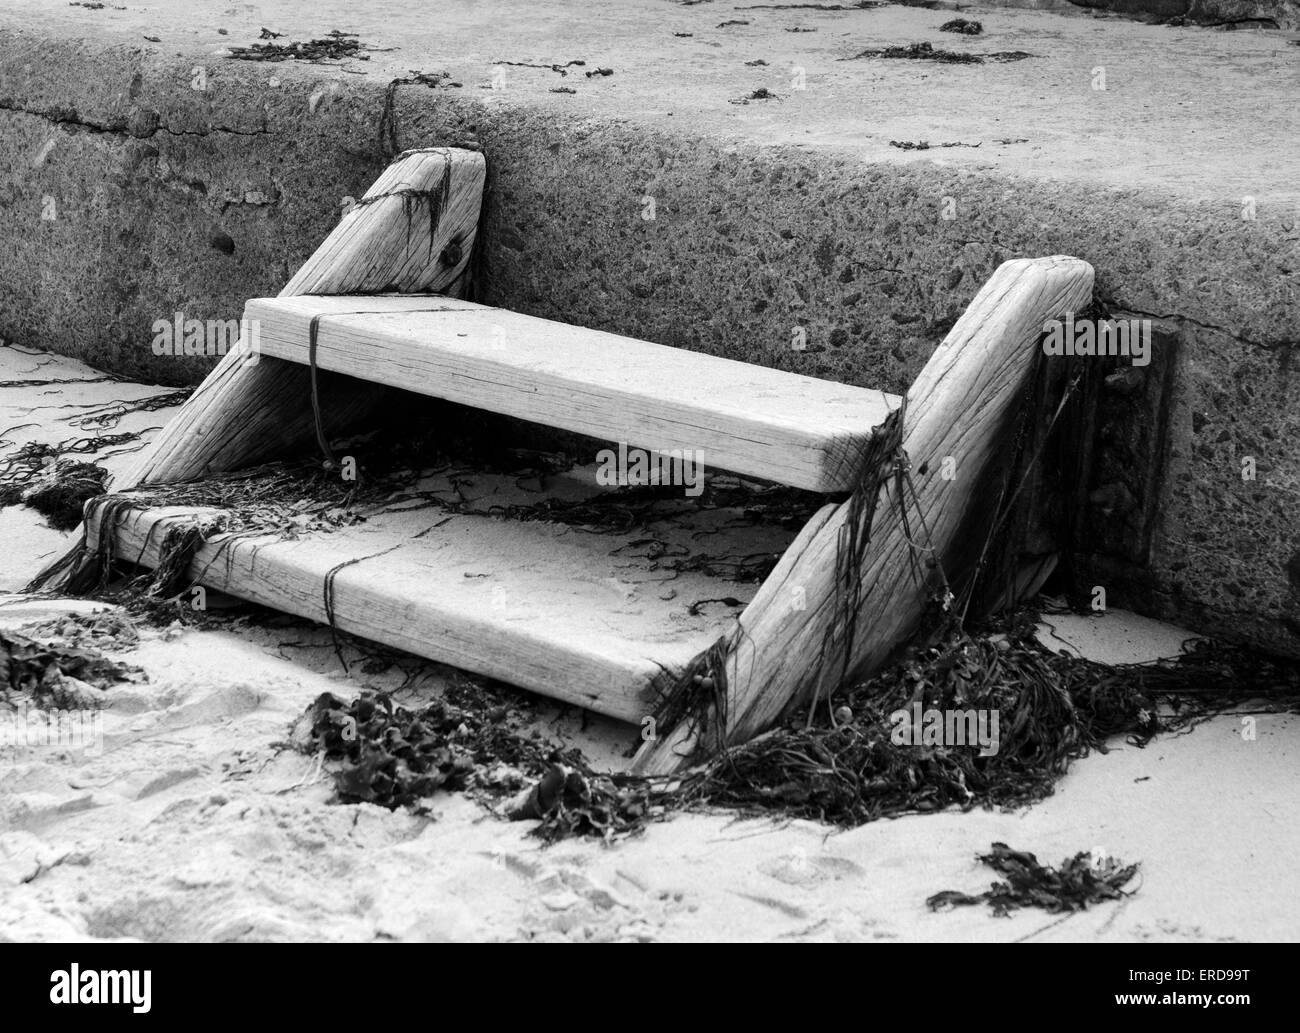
(852, 585)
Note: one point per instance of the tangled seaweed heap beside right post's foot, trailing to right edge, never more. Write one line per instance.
(1054, 710)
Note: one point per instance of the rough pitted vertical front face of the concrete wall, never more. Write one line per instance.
(171, 199)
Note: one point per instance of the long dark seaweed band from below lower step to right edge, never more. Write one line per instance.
(844, 770)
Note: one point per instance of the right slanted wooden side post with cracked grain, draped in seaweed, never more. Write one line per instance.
(957, 409)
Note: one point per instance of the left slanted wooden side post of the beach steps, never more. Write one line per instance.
(413, 232)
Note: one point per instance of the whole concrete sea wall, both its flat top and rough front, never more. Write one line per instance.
(768, 216)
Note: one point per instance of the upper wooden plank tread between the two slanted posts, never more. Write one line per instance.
(752, 420)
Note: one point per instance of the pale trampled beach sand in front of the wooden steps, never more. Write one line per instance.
(198, 822)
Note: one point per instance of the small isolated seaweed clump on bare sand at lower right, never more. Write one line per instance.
(1080, 882)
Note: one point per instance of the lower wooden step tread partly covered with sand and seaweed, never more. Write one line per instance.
(605, 620)
